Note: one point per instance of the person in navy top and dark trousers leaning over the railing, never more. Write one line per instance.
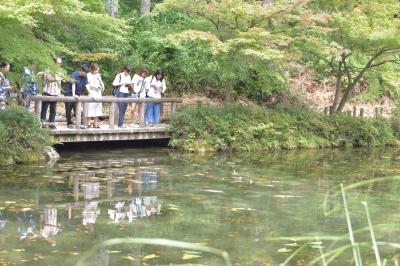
(74, 88)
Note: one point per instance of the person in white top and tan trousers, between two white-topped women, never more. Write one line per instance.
(140, 87)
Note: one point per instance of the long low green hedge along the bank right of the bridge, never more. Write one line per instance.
(238, 128)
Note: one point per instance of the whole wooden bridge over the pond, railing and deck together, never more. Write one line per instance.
(109, 131)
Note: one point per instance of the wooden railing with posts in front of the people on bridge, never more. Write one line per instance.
(83, 101)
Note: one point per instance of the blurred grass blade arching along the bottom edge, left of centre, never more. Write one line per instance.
(157, 242)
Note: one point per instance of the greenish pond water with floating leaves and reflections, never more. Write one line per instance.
(241, 203)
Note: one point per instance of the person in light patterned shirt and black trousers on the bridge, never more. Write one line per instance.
(52, 87)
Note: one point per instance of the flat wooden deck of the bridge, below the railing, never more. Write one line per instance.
(66, 135)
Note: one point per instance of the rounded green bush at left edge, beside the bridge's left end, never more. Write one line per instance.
(22, 139)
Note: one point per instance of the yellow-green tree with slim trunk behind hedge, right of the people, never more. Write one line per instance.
(238, 31)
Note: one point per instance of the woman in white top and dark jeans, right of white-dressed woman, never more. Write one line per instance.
(122, 82)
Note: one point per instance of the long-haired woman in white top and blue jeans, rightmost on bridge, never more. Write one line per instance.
(157, 87)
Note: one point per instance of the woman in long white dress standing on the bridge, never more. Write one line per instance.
(95, 88)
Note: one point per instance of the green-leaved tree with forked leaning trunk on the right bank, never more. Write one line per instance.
(358, 43)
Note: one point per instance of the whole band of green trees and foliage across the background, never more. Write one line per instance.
(222, 48)
